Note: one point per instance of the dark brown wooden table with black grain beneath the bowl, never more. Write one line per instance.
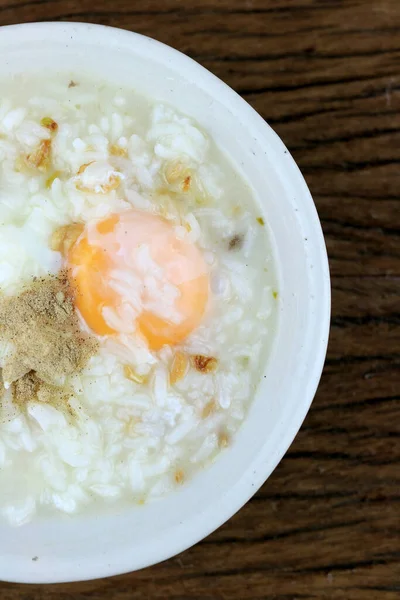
(326, 75)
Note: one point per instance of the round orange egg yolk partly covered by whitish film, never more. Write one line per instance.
(162, 278)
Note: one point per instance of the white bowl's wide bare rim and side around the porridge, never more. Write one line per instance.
(99, 545)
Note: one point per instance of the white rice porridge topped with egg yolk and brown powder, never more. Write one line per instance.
(138, 297)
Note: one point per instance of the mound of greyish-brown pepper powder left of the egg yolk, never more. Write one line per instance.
(43, 328)
